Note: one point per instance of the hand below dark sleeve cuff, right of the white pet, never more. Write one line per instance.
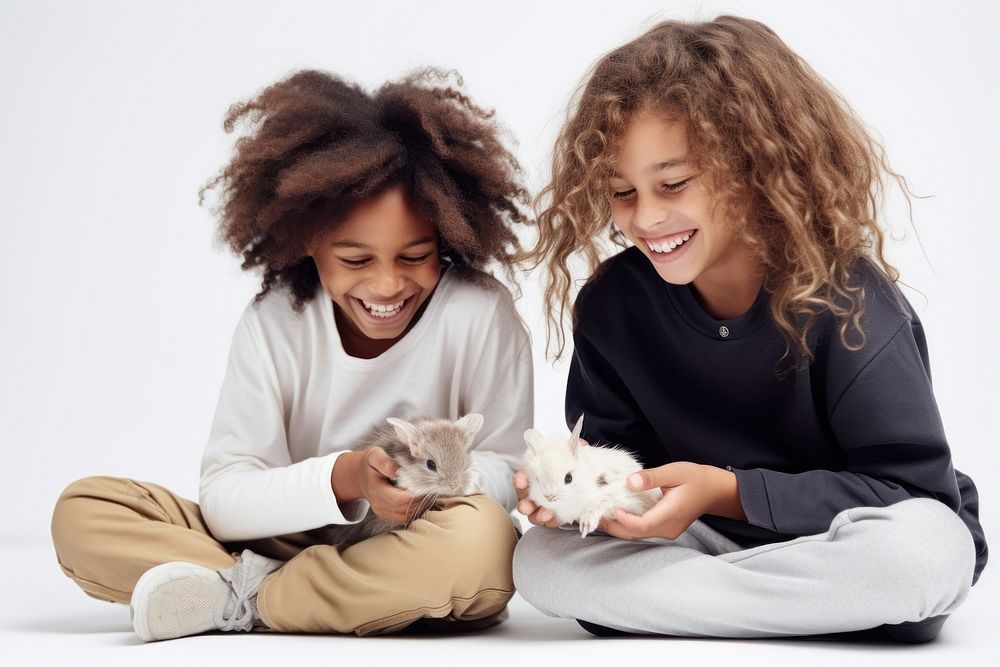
(689, 491)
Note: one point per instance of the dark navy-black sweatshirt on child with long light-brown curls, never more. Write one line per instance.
(654, 373)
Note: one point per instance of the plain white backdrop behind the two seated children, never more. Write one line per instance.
(116, 309)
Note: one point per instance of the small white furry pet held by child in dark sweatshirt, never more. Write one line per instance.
(577, 482)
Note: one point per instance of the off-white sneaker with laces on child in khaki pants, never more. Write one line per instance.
(180, 599)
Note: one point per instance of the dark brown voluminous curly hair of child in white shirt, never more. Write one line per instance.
(316, 146)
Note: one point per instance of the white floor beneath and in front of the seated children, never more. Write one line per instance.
(46, 620)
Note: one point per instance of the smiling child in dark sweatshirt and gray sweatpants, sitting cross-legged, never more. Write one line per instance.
(751, 347)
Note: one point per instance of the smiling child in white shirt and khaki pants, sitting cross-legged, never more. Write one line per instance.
(370, 216)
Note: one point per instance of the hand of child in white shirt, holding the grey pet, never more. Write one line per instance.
(367, 474)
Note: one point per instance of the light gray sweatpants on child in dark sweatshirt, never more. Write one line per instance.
(906, 562)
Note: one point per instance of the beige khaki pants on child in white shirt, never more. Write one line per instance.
(453, 564)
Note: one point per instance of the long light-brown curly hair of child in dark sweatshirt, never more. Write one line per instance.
(782, 152)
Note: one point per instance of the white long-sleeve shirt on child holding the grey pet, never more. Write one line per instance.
(293, 400)
